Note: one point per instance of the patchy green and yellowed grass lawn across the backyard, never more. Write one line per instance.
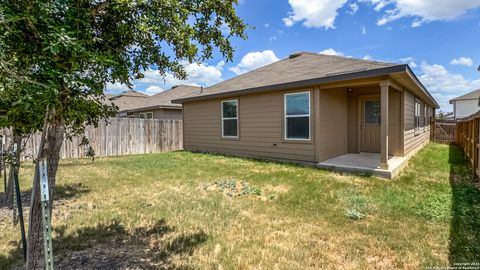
(165, 211)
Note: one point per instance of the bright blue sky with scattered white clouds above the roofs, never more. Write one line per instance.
(440, 40)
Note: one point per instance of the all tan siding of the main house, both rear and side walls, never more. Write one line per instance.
(334, 125)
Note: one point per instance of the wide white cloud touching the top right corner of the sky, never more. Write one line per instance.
(422, 10)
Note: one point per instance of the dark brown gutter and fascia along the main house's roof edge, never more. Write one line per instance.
(317, 81)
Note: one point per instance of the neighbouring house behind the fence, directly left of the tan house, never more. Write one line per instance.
(158, 106)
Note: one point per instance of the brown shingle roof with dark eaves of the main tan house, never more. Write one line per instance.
(301, 70)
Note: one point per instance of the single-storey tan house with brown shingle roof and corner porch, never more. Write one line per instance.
(335, 112)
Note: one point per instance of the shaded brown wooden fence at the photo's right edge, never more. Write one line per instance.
(468, 131)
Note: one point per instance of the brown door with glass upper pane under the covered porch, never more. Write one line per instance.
(370, 124)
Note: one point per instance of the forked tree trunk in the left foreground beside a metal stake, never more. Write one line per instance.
(52, 139)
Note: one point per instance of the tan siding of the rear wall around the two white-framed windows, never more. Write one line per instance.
(261, 132)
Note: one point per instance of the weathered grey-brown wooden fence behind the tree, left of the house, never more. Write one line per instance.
(122, 136)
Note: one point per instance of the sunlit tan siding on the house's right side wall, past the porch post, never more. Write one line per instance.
(412, 139)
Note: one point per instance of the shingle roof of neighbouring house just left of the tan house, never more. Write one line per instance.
(162, 99)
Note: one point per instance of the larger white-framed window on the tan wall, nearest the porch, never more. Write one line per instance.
(297, 116)
